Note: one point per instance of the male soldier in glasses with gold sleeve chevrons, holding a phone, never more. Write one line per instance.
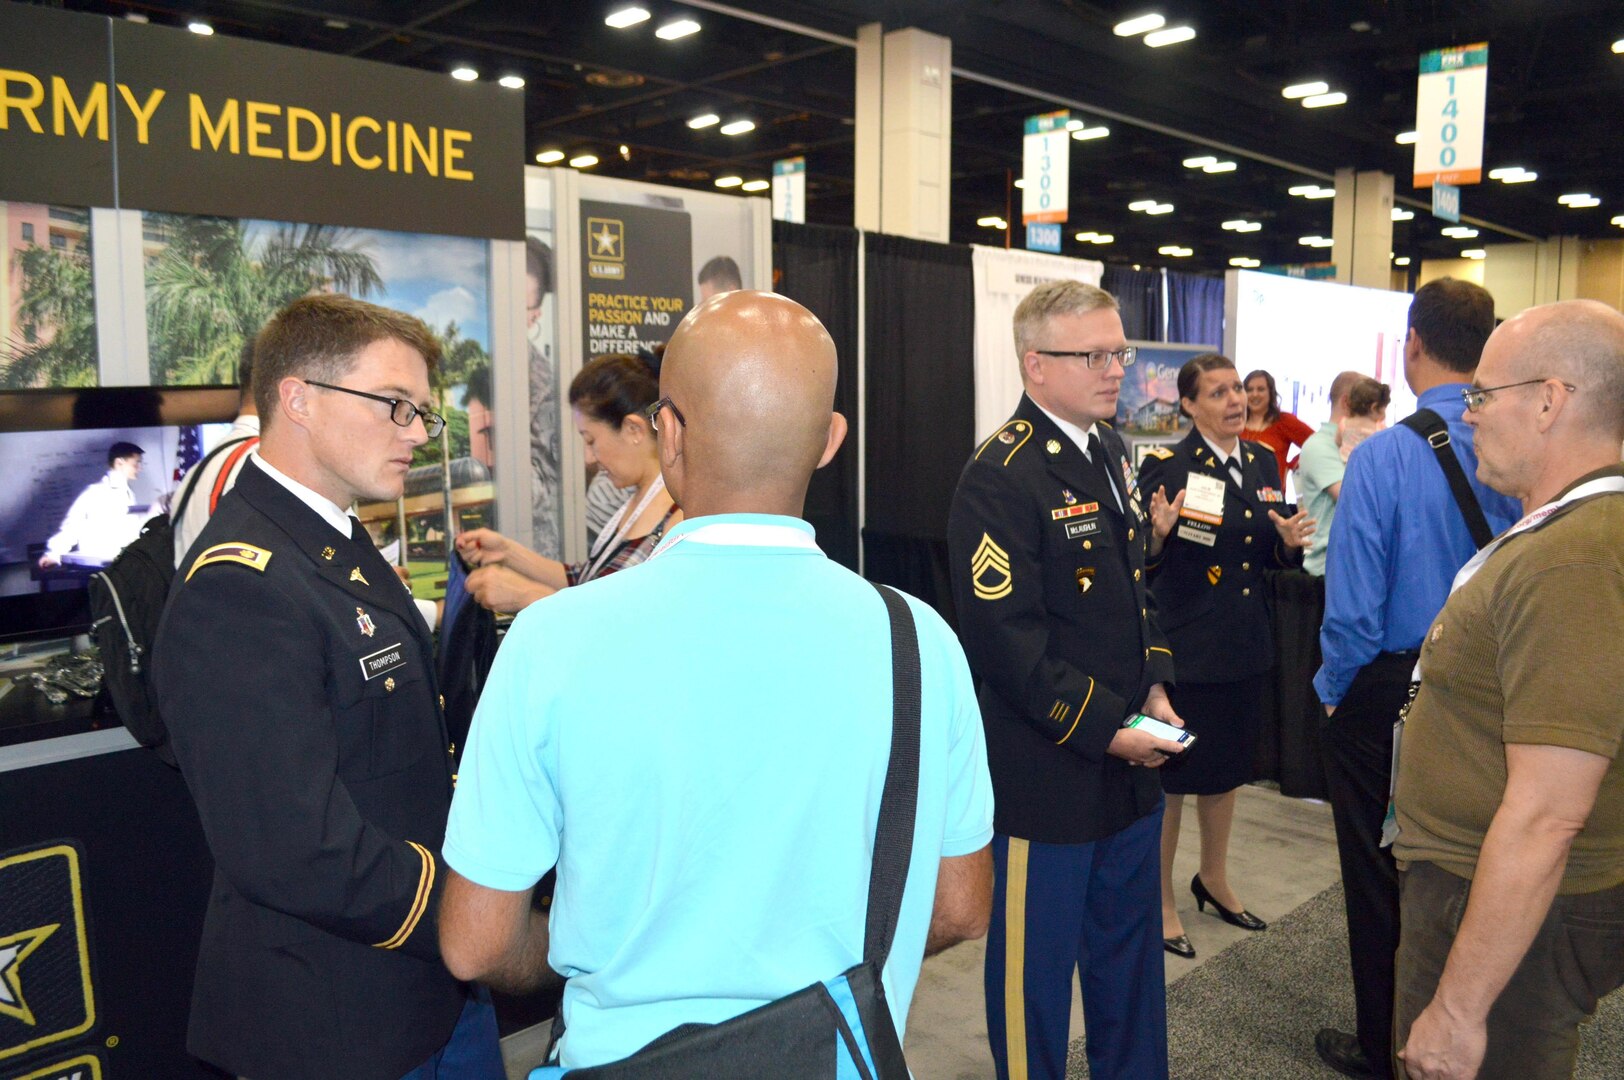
(1048, 559)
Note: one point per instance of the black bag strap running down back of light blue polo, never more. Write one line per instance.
(901, 797)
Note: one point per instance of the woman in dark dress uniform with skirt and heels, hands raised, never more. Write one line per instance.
(1211, 543)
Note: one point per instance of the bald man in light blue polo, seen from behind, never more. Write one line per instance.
(699, 743)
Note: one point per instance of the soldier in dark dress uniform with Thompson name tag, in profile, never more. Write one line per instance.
(296, 678)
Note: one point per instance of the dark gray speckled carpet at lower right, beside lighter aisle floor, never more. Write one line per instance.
(1251, 1013)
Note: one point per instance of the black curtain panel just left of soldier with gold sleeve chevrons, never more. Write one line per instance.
(922, 387)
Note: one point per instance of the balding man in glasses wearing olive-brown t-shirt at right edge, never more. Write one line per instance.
(1511, 793)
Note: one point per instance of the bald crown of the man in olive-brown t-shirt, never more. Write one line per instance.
(1581, 343)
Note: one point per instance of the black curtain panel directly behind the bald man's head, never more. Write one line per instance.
(818, 267)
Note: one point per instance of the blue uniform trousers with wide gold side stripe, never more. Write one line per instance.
(1095, 907)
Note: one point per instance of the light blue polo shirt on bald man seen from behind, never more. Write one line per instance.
(701, 745)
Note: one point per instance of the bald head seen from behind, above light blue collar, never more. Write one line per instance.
(754, 379)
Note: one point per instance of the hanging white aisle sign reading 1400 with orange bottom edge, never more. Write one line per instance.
(1451, 102)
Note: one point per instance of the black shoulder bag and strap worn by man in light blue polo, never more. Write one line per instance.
(844, 1026)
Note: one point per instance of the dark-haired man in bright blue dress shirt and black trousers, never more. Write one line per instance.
(1396, 546)
